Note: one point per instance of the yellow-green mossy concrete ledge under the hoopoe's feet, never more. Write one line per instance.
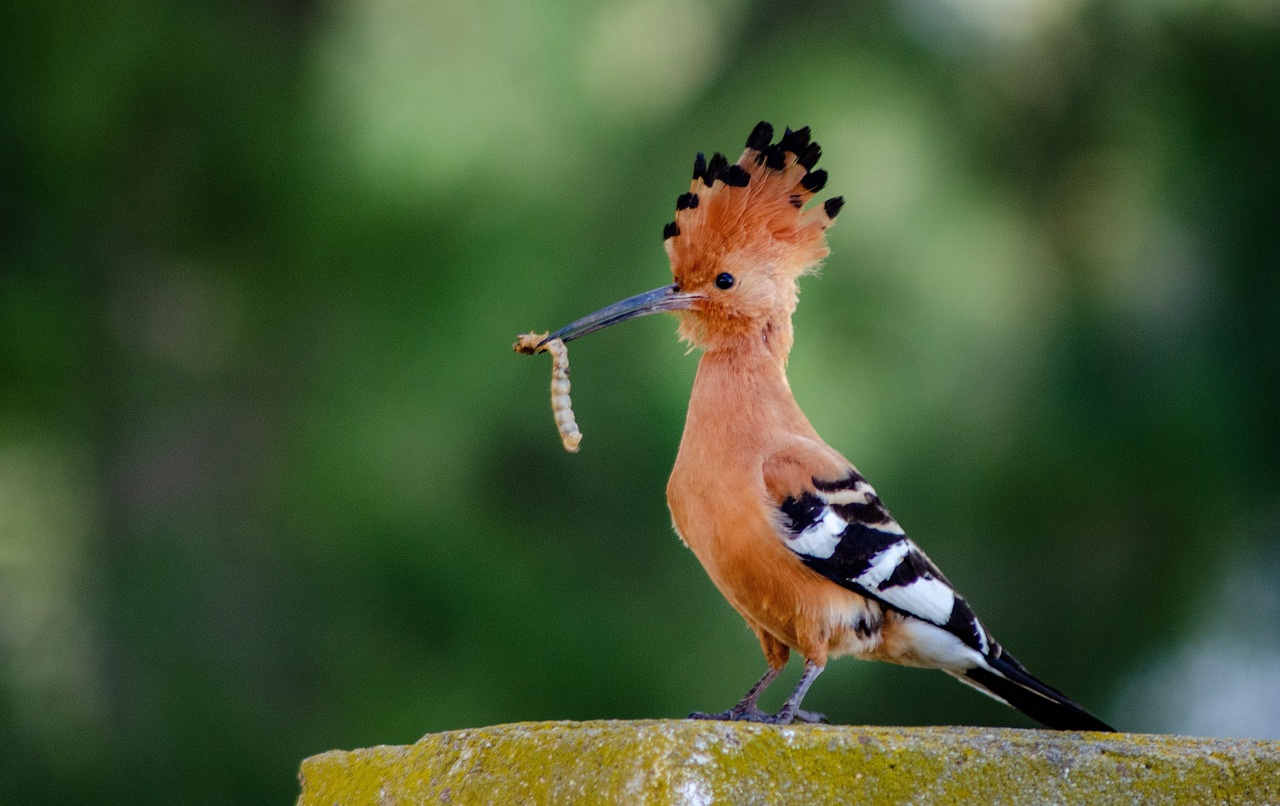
(691, 762)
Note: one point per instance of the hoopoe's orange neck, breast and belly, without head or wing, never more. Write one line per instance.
(742, 418)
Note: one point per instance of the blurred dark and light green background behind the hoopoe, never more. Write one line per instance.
(273, 483)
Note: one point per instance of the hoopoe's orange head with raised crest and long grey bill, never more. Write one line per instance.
(742, 239)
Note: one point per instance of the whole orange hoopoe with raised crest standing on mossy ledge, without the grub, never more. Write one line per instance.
(787, 528)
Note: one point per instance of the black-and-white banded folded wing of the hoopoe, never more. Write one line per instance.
(842, 530)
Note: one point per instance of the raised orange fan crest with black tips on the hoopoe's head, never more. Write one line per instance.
(755, 208)
